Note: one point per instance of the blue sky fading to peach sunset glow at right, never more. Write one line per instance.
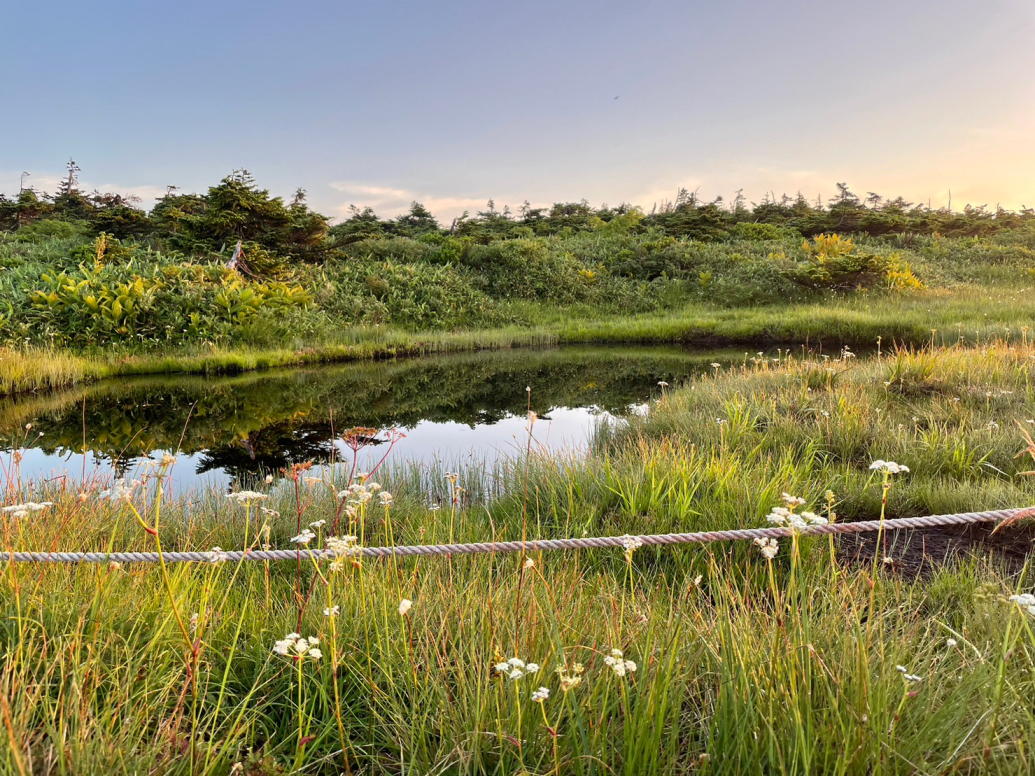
(453, 103)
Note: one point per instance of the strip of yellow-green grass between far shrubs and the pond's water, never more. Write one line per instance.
(969, 316)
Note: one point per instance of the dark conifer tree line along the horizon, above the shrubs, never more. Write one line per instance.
(239, 210)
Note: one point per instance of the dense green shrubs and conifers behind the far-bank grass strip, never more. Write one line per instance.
(236, 265)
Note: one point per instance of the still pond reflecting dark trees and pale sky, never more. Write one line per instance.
(456, 410)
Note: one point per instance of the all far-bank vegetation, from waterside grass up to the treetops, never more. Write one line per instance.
(93, 287)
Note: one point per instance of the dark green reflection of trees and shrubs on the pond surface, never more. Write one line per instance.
(257, 423)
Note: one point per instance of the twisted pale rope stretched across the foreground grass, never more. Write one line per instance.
(531, 546)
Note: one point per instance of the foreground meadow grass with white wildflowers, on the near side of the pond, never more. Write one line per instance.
(826, 659)
